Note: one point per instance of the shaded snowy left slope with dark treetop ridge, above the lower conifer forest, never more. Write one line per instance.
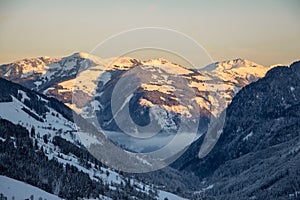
(49, 118)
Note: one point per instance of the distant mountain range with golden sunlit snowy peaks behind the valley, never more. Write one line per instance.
(87, 83)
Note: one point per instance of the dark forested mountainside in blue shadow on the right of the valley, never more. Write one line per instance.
(257, 154)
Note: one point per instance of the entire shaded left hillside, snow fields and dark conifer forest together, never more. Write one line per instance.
(44, 128)
